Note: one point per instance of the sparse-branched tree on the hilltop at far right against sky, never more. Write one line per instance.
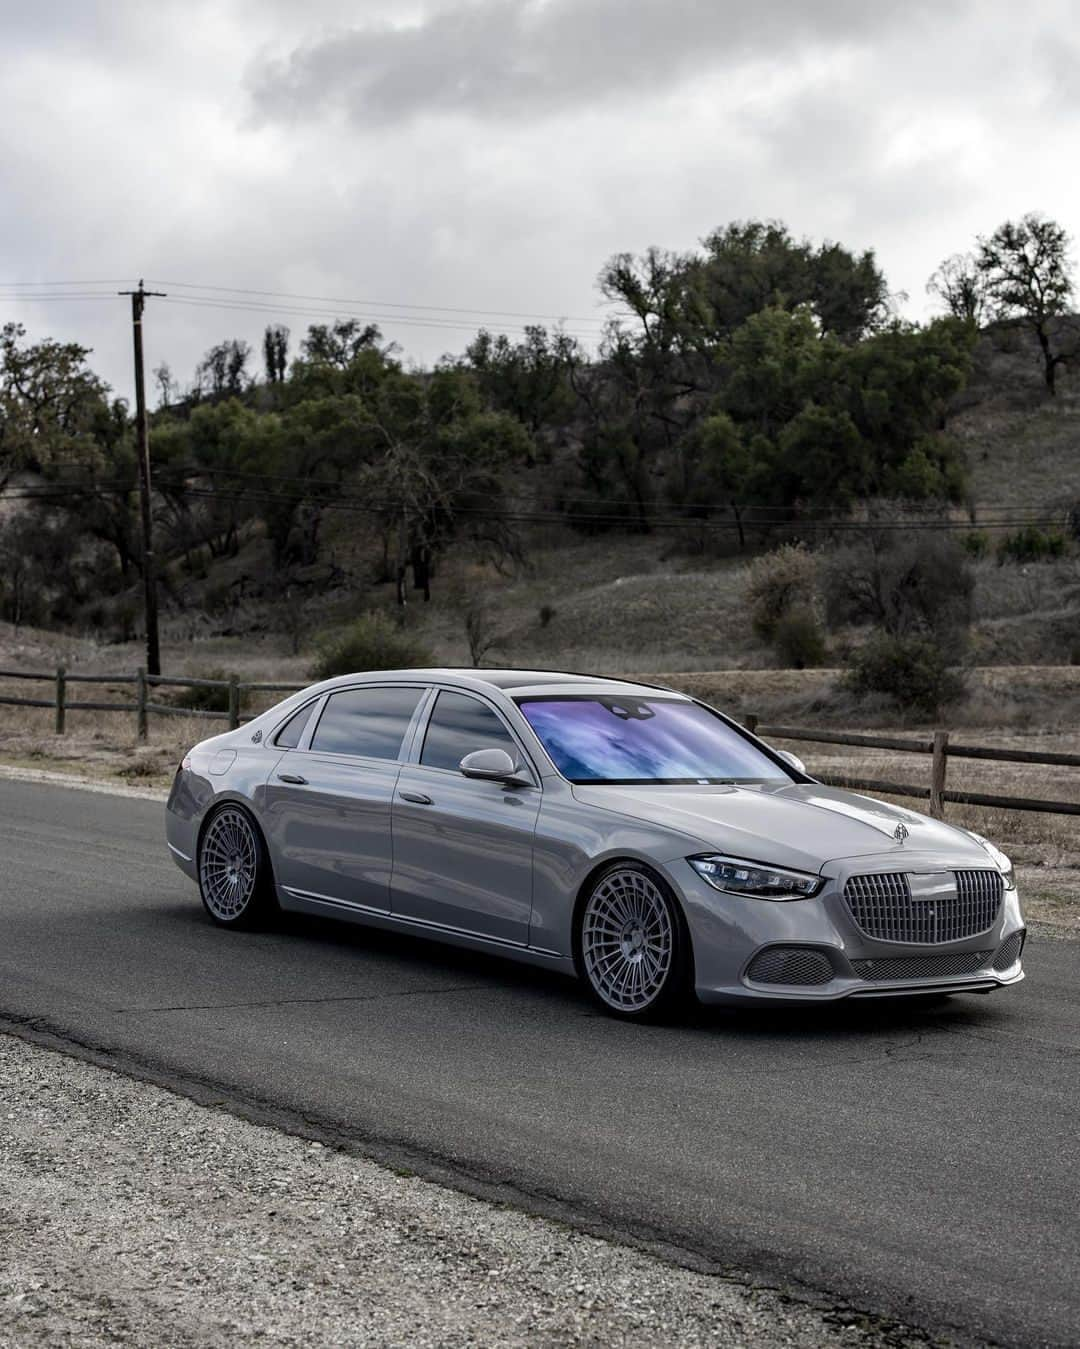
(1025, 269)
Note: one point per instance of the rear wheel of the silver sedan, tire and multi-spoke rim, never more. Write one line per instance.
(234, 871)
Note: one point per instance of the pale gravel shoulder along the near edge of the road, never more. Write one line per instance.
(133, 1216)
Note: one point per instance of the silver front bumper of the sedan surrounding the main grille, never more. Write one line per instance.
(736, 941)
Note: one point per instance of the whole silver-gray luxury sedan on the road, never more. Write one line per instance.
(618, 832)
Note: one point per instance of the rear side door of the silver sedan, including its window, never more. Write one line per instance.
(330, 797)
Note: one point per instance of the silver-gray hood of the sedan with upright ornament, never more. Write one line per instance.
(802, 825)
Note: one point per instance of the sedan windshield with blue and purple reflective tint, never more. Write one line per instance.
(597, 739)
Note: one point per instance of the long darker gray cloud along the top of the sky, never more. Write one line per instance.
(521, 60)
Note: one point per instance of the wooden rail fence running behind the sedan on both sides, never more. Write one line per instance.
(938, 747)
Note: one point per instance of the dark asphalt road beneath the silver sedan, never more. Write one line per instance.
(918, 1162)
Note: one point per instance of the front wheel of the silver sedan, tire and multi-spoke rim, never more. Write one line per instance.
(634, 950)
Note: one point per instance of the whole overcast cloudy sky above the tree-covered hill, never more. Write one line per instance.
(446, 164)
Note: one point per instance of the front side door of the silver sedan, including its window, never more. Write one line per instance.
(463, 849)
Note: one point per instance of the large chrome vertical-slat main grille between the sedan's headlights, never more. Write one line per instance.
(884, 909)
